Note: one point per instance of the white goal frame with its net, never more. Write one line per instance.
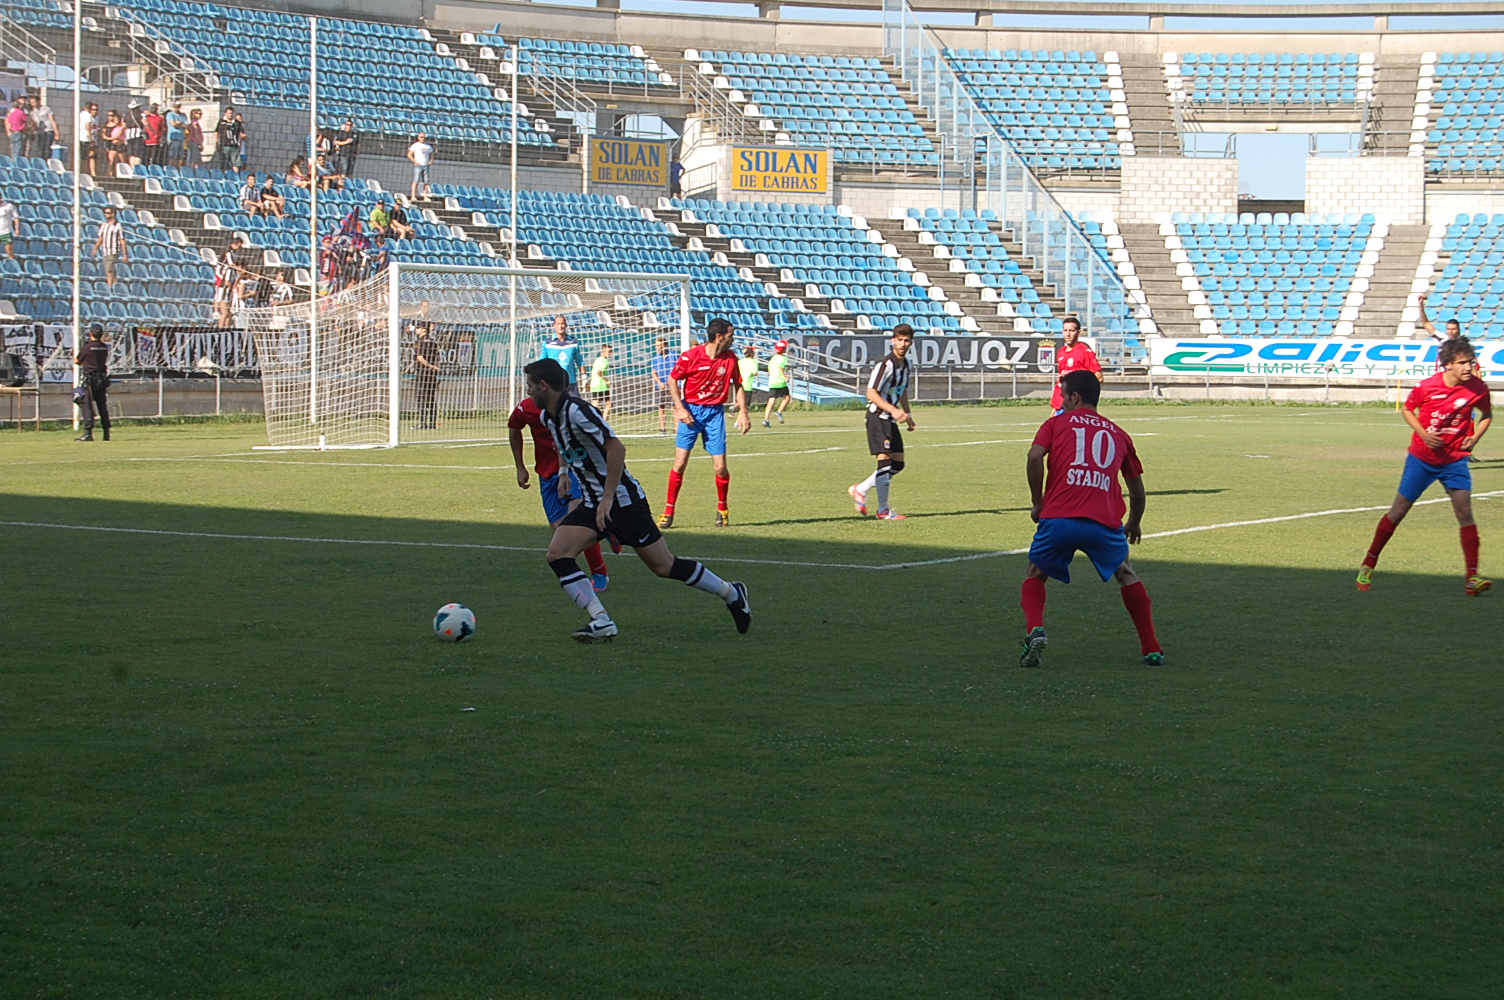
(348, 371)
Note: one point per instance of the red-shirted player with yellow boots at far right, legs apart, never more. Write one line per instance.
(1440, 411)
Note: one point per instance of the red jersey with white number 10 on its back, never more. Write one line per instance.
(1085, 453)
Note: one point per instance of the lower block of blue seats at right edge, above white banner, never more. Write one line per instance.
(1470, 288)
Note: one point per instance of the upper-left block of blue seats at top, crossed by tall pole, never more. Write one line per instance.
(262, 56)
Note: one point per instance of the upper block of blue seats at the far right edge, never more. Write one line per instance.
(1469, 102)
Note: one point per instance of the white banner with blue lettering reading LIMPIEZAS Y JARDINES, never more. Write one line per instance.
(1306, 359)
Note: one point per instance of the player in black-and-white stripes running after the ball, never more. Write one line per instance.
(613, 503)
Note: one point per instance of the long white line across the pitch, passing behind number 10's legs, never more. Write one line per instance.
(811, 565)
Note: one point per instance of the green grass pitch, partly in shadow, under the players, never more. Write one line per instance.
(243, 768)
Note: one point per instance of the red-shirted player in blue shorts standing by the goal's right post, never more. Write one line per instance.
(709, 374)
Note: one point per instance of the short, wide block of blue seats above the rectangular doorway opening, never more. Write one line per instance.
(1264, 79)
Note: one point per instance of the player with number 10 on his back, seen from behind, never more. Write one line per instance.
(1082, 511)
